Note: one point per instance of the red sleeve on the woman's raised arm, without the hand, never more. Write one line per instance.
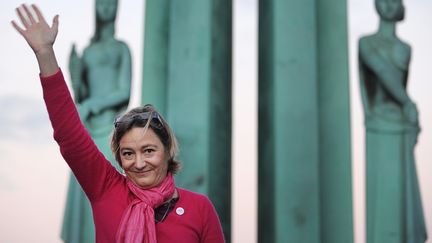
(88, 164)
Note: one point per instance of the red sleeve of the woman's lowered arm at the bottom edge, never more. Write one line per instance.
(212, 229)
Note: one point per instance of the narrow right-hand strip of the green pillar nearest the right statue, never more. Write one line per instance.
(334, 127)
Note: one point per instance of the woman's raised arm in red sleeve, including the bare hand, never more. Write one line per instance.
(78, 149)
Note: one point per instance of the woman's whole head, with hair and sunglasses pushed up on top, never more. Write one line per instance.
(139, 146)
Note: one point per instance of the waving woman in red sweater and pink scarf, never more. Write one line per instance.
(142, 206)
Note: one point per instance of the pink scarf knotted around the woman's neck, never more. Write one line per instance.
(138, 223)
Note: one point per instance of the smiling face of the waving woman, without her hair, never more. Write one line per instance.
(143, 157)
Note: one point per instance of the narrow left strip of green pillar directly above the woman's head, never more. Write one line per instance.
(155, 63)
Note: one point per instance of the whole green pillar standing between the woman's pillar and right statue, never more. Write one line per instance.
(304, 136)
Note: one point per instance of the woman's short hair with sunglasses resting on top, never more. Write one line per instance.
(146, 117)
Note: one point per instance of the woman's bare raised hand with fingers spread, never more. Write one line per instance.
(36, 31)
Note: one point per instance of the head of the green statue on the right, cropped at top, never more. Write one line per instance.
(390, 10)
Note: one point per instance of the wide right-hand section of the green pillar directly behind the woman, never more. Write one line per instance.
(199, 97)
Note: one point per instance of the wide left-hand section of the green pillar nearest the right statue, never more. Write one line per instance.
(288, 122)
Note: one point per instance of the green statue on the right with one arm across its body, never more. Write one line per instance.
(394, 209)
